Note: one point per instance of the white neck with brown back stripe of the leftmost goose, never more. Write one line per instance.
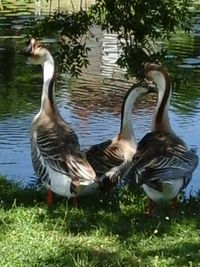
(48, 102)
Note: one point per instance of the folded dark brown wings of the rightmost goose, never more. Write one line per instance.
(163, 156)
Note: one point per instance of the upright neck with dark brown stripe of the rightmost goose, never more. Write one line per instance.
(161, 117)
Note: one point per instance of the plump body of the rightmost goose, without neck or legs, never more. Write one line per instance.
(164, 165)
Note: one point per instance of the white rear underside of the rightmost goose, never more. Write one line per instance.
(170, 190)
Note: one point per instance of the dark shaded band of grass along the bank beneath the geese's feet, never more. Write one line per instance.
(121, 213)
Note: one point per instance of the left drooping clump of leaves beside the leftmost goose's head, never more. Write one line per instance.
(73, 29)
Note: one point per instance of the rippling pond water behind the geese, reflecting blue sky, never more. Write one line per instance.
(92, 103)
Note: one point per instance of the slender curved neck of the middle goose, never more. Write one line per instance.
(126, 128)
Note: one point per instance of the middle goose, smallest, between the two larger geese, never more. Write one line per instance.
(110, 159)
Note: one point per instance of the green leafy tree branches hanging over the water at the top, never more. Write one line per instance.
(139, 25)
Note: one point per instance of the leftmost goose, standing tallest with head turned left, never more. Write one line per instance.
(55, 149)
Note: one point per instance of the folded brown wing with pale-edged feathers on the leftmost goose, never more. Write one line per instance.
(58, 148)
